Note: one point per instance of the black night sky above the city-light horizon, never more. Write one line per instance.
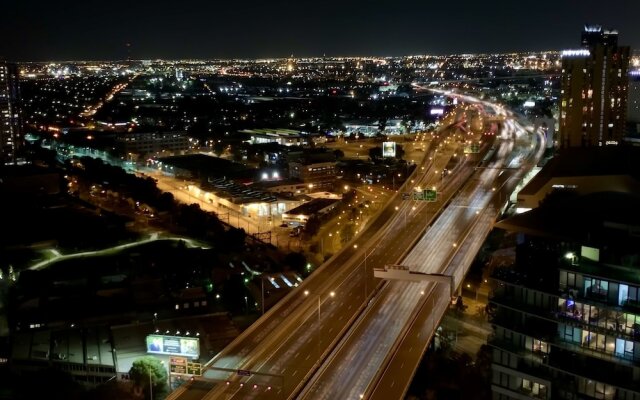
(99, 29)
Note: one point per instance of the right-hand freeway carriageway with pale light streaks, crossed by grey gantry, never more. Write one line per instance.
(380, 354)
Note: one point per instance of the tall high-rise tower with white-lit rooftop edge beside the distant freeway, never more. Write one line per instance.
(594, 90)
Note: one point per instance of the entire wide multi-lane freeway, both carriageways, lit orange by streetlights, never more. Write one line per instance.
(341, 331)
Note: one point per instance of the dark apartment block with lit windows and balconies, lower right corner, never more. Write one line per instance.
(566, 321)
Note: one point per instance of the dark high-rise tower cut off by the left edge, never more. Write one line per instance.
(10, 113)
